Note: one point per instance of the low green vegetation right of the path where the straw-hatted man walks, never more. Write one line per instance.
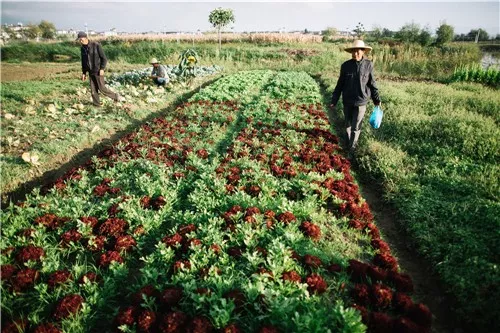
(436, 154)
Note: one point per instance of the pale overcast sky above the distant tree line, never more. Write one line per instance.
(140, 16)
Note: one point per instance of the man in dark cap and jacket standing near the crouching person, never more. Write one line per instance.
(94, 62)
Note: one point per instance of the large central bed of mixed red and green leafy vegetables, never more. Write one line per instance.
(236, 212)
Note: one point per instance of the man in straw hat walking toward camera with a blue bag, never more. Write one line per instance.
(357, 84)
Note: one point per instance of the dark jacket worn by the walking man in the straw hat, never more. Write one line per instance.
(356, 84)
